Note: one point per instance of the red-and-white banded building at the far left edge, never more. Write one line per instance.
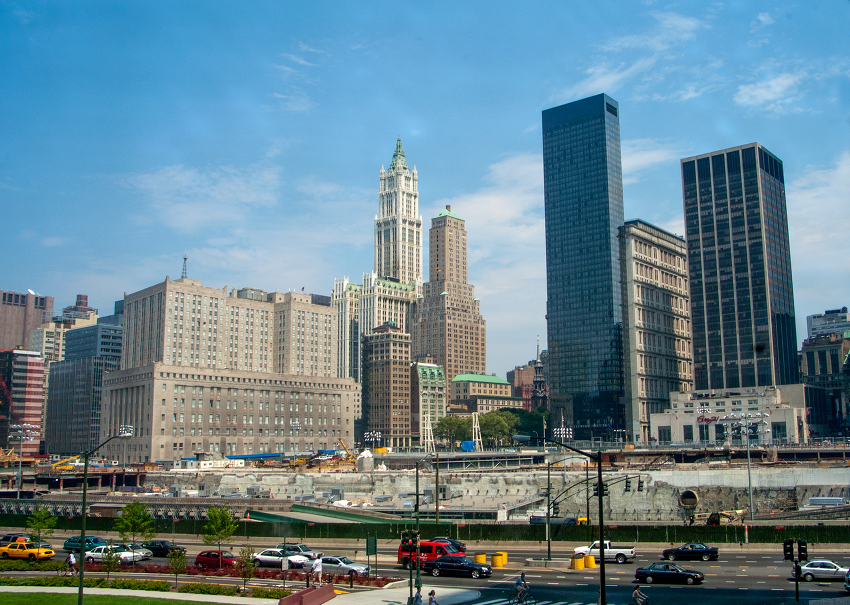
(22, 399)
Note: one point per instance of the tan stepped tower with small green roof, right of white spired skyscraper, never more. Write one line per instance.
(445, 322)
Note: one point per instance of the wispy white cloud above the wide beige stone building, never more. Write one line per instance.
(189, 199)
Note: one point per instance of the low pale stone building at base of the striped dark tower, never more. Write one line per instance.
(771, 415)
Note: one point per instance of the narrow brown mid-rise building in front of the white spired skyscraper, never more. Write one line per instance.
(387, 396)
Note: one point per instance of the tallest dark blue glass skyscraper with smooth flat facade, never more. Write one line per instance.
(583, 189)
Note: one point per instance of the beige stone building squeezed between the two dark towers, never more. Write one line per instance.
(656, 304)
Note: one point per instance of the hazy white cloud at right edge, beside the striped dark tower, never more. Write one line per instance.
(818, 222)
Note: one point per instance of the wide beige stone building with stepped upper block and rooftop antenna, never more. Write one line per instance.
(238, 373)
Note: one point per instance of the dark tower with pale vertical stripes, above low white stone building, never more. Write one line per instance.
(739, 260)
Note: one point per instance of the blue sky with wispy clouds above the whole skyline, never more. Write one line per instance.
(250, 136)
